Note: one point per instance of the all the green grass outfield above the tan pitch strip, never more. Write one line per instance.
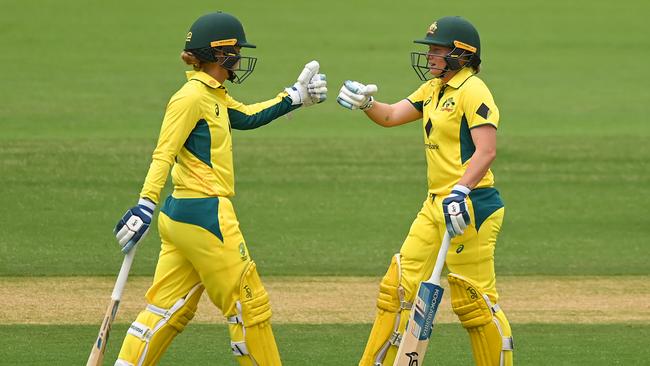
(83, 97)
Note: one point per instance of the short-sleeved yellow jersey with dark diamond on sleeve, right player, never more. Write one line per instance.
(449, 112)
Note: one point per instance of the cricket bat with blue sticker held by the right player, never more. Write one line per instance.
(416, 337)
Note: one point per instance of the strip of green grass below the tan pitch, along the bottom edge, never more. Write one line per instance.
(337, 345)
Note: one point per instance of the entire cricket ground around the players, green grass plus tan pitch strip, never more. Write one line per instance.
(324, 197)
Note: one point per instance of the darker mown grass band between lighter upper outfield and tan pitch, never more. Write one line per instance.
(341, 206)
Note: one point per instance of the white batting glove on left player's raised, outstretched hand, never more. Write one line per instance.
(310, 87)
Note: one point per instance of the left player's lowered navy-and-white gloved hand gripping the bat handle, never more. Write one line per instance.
(134, 225)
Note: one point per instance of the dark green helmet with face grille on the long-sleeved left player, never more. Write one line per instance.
(218, 37)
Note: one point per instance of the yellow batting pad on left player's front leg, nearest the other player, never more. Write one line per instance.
(251, 336)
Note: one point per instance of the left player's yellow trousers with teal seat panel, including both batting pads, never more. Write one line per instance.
(202, 248)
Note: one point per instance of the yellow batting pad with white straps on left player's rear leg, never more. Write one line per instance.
(156, 327)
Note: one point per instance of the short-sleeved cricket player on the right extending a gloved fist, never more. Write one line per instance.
(459, 125)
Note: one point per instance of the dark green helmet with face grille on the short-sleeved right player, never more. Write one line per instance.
(459, 35)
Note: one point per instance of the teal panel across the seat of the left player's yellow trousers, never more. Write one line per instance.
(202, 212)
